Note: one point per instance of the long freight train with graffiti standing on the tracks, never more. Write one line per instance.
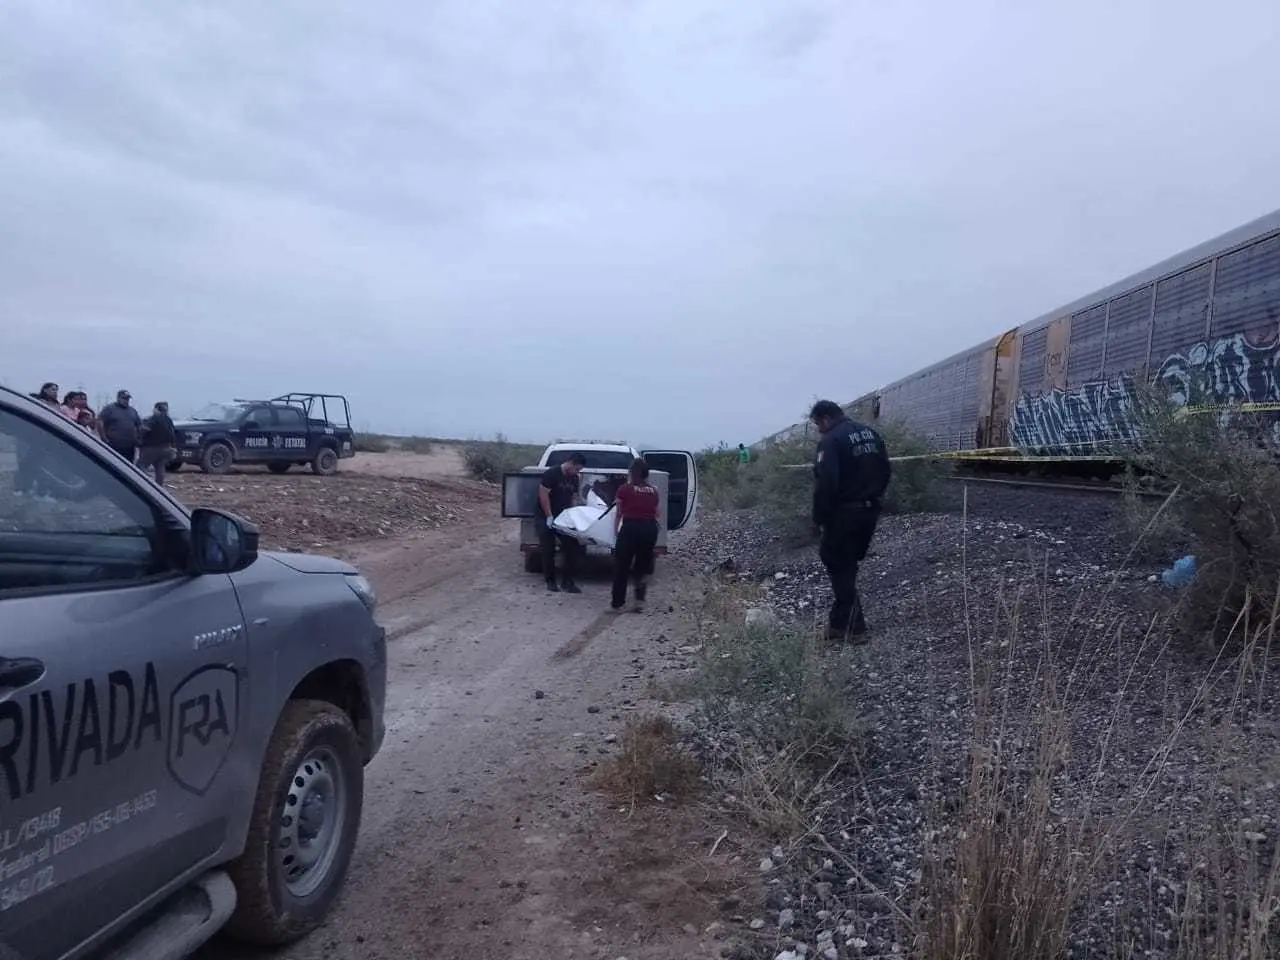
(1204, 324)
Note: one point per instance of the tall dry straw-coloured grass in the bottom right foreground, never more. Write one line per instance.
(1009, 872)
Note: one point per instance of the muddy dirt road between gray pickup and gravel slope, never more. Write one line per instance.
(481, 835)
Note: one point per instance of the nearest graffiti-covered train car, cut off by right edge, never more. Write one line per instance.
(1203, 324)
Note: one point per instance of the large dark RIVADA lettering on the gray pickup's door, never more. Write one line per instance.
(49, 739)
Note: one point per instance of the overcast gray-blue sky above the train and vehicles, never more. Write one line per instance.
(676, 222)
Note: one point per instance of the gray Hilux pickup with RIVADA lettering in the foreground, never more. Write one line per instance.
(185, 721)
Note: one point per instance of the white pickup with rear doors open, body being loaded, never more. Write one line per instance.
(674, 473)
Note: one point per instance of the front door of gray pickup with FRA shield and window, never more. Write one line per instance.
(122, 688)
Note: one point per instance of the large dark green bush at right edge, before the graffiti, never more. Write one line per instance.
(1224, 504)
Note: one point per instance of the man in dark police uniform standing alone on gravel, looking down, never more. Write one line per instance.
(852, 473)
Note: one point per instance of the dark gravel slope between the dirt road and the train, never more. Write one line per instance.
(1169, 753)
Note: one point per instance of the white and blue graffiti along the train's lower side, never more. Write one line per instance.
(1228, 372)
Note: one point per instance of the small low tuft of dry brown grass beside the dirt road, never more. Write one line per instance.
(650, 765)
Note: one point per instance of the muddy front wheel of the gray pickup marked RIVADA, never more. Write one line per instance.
(307, 816)
